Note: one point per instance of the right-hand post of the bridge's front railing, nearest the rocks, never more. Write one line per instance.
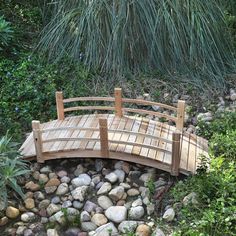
(175, 153)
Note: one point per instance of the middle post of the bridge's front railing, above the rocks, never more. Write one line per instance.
(103, 137)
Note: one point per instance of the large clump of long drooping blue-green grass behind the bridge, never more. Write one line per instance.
(181, 38)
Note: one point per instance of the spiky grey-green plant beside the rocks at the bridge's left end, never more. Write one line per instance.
(11, 167)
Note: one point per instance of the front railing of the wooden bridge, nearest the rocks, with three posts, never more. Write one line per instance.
(105, 141)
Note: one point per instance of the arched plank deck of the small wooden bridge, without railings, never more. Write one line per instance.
(130, 138)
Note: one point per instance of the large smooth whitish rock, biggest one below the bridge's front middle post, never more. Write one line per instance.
(116, 214)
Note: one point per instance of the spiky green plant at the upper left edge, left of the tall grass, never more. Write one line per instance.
(6, 33)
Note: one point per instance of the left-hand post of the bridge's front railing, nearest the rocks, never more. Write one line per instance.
(37, 134)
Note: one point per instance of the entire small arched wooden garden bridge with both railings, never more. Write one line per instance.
(139, 139)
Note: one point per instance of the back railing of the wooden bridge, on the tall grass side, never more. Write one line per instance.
(119, 107)
